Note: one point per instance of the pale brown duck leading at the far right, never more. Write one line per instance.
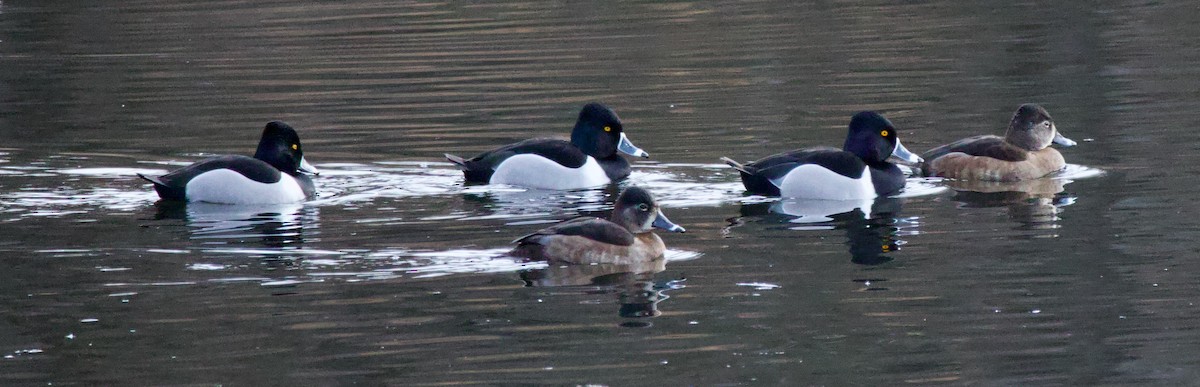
(1023, 154)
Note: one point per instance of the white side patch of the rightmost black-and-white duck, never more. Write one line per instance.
(812, 181)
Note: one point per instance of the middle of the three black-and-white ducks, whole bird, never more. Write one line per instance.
(589, 160)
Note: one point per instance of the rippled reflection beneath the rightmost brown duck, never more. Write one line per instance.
(1036, 204)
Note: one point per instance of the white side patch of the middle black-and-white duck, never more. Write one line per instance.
(535, 171)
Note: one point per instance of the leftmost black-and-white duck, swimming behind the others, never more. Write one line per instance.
(278, 174)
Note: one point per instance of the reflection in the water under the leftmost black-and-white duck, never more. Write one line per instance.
(267, 225)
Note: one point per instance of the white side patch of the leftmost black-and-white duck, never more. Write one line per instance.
(232, 188)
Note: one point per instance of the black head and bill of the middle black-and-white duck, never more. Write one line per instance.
(599, 134)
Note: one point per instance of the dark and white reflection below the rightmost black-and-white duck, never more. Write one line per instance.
(871, 225)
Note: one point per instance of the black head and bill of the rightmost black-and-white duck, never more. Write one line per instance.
(874, 139)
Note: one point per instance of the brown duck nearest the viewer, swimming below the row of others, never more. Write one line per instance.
(627, 237)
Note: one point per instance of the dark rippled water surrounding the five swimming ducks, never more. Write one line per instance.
(398, 273)
